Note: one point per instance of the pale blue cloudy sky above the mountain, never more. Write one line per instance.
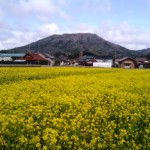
(124, 22)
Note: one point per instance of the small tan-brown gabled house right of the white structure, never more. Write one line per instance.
(127, 62)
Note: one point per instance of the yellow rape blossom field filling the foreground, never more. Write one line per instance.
(74, 109)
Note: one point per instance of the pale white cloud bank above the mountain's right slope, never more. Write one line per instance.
(124, 35)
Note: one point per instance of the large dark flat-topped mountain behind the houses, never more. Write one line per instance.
(70, 45)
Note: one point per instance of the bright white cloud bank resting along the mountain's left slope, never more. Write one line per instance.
(20, 38)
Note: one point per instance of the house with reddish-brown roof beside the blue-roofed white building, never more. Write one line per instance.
(36, 58)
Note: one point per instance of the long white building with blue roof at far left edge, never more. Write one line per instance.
(10, 56)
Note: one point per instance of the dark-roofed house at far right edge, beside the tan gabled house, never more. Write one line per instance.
(143, 62)
